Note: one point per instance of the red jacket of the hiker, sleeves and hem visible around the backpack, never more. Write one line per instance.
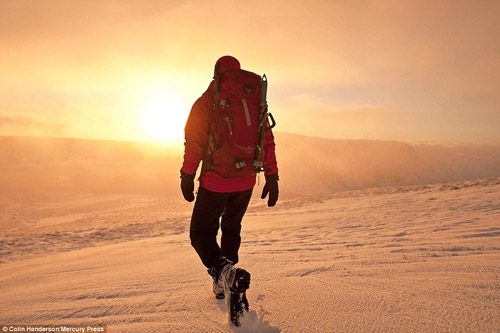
(196, 135)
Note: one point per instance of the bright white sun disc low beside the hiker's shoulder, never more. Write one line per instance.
(163, 118)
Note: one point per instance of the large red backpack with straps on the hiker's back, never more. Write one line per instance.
(236, 138)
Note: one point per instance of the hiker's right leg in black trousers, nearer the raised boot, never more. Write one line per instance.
(231, 223)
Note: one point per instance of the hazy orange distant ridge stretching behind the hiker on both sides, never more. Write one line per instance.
(308, 165)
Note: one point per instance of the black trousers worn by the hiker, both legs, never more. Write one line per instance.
(208, 208)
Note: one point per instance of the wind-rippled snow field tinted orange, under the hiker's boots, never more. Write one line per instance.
(395, 258)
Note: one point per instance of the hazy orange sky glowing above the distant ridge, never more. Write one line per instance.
(397, 70)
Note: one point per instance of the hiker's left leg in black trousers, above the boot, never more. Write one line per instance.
(205, 224)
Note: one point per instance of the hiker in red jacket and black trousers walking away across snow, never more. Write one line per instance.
(223, 131)
